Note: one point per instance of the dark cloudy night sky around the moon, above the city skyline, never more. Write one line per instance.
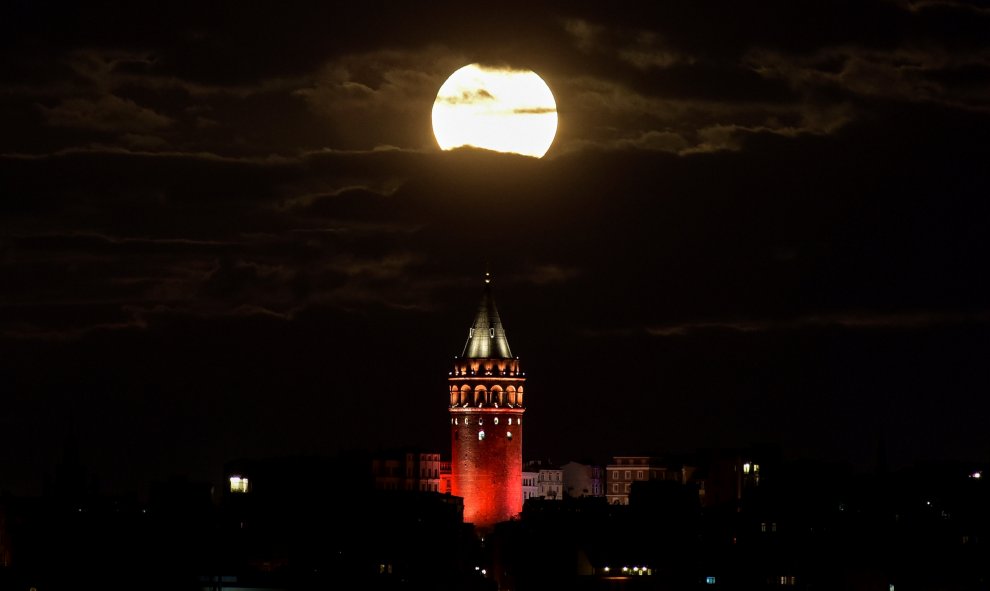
(227, 230)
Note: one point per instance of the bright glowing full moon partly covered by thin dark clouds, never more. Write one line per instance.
(499, 109)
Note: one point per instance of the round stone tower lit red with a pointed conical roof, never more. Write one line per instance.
(486, 413)
